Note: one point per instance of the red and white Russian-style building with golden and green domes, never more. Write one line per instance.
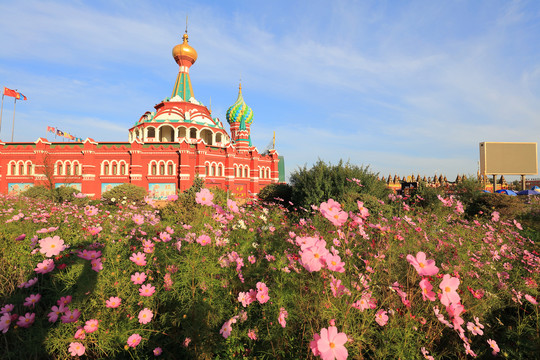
(166, 150)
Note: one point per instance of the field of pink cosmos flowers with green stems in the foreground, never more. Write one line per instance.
(123, 281)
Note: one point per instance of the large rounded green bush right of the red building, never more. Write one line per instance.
(324, 181)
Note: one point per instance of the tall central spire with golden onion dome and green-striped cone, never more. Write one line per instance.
(185, 56)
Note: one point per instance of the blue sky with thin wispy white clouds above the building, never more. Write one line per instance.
(403, 87)
